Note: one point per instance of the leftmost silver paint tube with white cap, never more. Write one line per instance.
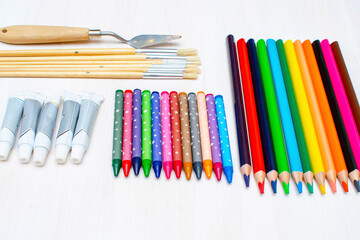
(10, 125)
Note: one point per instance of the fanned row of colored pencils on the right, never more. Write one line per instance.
(300, 109)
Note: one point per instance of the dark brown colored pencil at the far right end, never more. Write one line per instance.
(349, 88)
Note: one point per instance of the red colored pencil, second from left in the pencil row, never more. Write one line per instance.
(251, 116)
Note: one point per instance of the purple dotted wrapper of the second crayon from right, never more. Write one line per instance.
(213, 129)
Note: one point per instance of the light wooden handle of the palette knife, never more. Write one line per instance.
(31, 34)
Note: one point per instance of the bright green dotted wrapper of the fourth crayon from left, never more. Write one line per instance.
(146, 126)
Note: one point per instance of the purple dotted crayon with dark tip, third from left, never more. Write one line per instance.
(136, 132)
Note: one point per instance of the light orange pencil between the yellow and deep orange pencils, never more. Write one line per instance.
(325, 152)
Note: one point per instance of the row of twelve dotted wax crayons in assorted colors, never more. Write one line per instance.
(171, 131)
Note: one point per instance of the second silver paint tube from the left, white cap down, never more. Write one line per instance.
(32, 107)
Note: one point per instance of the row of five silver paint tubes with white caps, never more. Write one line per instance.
(39, 114)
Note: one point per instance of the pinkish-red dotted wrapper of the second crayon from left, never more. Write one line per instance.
(127, 126)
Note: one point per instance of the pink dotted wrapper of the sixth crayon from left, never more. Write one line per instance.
(166, 127)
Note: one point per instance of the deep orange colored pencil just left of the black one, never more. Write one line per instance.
(330, 130)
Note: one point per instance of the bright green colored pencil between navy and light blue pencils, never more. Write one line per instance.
(274, 117)
